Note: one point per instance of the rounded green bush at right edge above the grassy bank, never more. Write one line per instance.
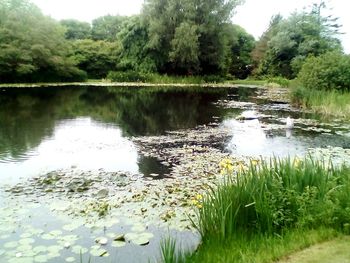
(328, 71)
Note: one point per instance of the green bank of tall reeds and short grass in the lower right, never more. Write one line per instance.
(271, 210)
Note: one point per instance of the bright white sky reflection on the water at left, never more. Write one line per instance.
(81, 143)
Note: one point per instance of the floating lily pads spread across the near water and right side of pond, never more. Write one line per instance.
(96, 212)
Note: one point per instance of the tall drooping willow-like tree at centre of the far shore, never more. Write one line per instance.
(204, 45)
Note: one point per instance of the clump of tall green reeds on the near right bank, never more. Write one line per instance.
(277, 195)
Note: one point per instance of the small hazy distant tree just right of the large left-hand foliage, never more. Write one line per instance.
(76, 29)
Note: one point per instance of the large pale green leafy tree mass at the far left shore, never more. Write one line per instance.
(32, 46)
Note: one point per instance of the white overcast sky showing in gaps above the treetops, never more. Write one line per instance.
(254, 15)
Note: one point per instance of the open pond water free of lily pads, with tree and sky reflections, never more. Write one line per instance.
(44, 129)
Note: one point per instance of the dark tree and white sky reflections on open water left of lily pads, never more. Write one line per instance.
(52, 128)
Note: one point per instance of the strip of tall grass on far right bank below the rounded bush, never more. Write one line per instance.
(327, 103)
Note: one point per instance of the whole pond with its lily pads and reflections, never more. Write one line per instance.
(109, 172)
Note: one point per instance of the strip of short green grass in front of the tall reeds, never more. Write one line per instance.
(259, 248)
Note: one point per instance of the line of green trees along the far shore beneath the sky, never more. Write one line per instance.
(187, 37)
